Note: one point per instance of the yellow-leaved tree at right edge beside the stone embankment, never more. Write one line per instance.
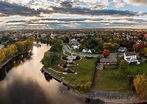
(140, 83)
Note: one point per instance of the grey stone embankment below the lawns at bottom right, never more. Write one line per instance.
(115, 97)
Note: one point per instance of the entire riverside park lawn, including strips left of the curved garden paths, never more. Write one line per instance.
(84, 71)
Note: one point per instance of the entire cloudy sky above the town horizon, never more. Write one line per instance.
(72, 14)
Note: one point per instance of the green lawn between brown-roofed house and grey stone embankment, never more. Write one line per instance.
(110, 80)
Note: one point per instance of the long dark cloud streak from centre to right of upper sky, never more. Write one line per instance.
(87, 11)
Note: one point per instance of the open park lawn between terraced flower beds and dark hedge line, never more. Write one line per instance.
(84, 71)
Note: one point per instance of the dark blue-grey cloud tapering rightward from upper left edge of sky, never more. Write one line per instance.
(14, 9)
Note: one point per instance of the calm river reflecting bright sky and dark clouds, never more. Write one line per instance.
(25, 84)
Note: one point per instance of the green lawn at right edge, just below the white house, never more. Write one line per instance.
(142, 68)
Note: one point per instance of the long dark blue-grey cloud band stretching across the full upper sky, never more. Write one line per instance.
(65, 7)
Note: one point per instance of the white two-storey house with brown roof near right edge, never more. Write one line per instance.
(131, 57)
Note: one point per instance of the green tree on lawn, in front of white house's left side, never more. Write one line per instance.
(123, 67)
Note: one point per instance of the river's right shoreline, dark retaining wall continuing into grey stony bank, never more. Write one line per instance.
(105, 96)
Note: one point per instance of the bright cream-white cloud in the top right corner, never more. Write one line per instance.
(136, 2)
